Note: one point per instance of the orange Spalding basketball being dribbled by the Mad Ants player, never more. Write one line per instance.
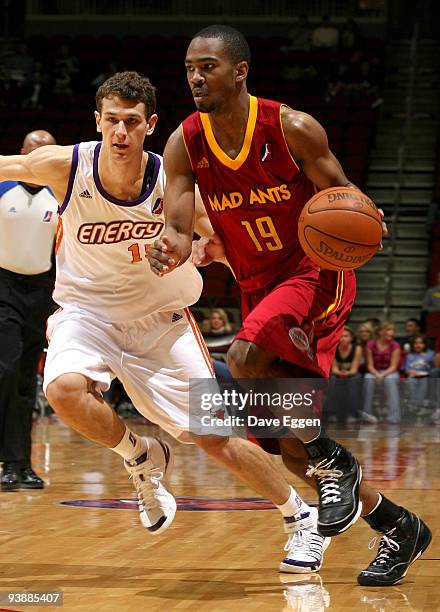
(340, 228)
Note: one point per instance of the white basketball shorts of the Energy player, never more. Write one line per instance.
(154, 358)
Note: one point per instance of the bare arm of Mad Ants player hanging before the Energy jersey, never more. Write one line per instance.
(174, 246)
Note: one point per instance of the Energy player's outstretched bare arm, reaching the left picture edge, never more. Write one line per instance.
(48, 165)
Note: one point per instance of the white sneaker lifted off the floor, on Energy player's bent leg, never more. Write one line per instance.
(149, 472)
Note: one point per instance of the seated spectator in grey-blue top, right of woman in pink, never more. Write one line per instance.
(418, 365)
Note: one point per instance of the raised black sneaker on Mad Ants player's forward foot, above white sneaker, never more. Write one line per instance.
(338, 476)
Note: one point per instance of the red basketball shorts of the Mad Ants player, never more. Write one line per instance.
(302, 318)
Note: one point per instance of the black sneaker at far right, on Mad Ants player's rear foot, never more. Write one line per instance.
(398, 548)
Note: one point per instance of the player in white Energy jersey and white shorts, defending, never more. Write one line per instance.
(117, 319)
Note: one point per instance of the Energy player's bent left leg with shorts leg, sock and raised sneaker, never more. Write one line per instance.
(78, 367)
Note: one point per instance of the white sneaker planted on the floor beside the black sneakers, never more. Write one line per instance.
(305, 546)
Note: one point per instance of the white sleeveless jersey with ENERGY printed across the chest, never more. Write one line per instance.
(102, 244)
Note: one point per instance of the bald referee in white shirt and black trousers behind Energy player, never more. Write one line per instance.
(28, 219)
